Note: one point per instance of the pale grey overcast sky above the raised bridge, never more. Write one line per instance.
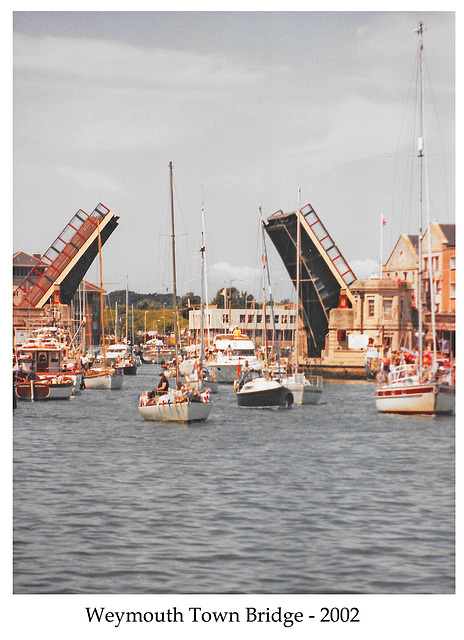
(249, 107)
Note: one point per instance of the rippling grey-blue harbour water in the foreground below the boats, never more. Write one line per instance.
(332, 498)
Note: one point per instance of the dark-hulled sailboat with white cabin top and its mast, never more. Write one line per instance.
(259, 388)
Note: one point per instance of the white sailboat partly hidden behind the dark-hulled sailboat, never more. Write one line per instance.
(305, 390)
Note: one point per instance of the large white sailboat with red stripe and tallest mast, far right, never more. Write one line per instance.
(418, 387)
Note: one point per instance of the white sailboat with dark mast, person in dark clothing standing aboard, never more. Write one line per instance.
(184, 404)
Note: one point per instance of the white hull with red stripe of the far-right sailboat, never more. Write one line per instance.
(425, 398)
